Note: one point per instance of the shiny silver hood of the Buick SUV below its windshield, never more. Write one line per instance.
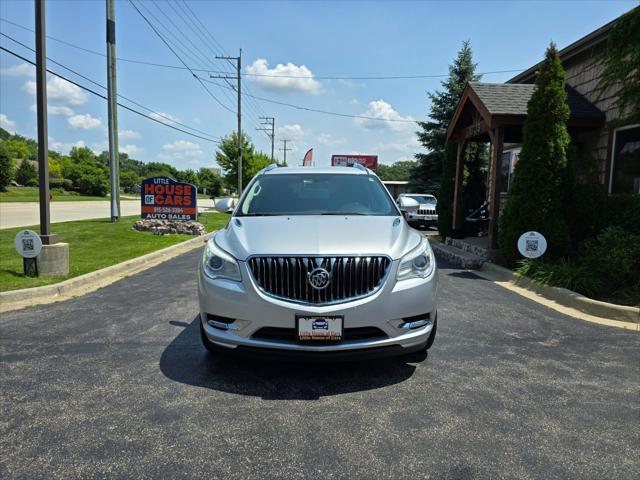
(317, 235)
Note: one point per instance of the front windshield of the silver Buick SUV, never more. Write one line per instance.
(317, 194)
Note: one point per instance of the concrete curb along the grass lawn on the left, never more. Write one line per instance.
(92, 281)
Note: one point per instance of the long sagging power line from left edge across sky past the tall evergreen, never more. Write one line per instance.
(317, 77)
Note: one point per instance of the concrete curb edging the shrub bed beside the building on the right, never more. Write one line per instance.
(562, 296)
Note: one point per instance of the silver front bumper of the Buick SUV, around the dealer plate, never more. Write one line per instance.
(252, 310)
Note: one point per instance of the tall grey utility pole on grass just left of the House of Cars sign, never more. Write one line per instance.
(112, 108)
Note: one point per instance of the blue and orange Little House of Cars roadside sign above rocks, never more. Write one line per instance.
(165, 199)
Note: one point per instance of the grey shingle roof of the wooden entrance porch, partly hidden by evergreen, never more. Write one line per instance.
(512, 98)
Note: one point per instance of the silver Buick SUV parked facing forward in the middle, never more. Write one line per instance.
(317, 262)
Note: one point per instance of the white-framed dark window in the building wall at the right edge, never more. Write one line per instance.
(625, 160)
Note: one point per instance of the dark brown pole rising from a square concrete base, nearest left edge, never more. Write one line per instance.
(43, 140)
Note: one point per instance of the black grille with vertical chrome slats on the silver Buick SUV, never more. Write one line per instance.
(351, 277)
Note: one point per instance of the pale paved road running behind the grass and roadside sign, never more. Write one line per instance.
(22, 214)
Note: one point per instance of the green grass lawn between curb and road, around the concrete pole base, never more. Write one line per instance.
(93, 244)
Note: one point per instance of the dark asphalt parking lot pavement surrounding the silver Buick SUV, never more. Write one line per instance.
(117, 384)
